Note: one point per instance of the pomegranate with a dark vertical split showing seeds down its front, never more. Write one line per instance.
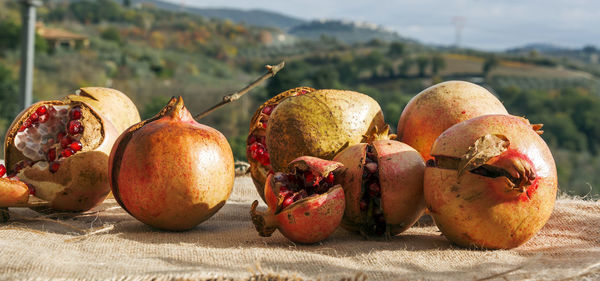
(383, 184)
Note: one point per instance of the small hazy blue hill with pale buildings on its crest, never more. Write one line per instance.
(345, 31)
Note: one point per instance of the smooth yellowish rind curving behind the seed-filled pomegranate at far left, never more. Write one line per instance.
(112, 104)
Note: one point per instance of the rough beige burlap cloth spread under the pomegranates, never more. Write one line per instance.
(108, 244)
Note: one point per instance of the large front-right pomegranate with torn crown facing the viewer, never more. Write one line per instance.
(492, 184)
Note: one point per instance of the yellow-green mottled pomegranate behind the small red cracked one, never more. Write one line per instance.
(320, 124)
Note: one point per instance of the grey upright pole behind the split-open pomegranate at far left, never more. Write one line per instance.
(27, 50)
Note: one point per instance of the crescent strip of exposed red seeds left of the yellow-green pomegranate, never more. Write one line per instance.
(256, 147)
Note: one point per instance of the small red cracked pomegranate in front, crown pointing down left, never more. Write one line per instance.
(305, 204)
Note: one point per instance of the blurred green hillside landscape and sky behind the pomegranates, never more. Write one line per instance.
(541, 61)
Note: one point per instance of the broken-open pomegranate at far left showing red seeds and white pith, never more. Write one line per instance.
(60, 149)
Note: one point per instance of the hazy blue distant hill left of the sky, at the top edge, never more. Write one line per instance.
(261, 18)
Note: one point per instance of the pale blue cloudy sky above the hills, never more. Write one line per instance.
(488, 24)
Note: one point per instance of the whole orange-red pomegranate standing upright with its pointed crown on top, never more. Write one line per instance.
(171, 172)
